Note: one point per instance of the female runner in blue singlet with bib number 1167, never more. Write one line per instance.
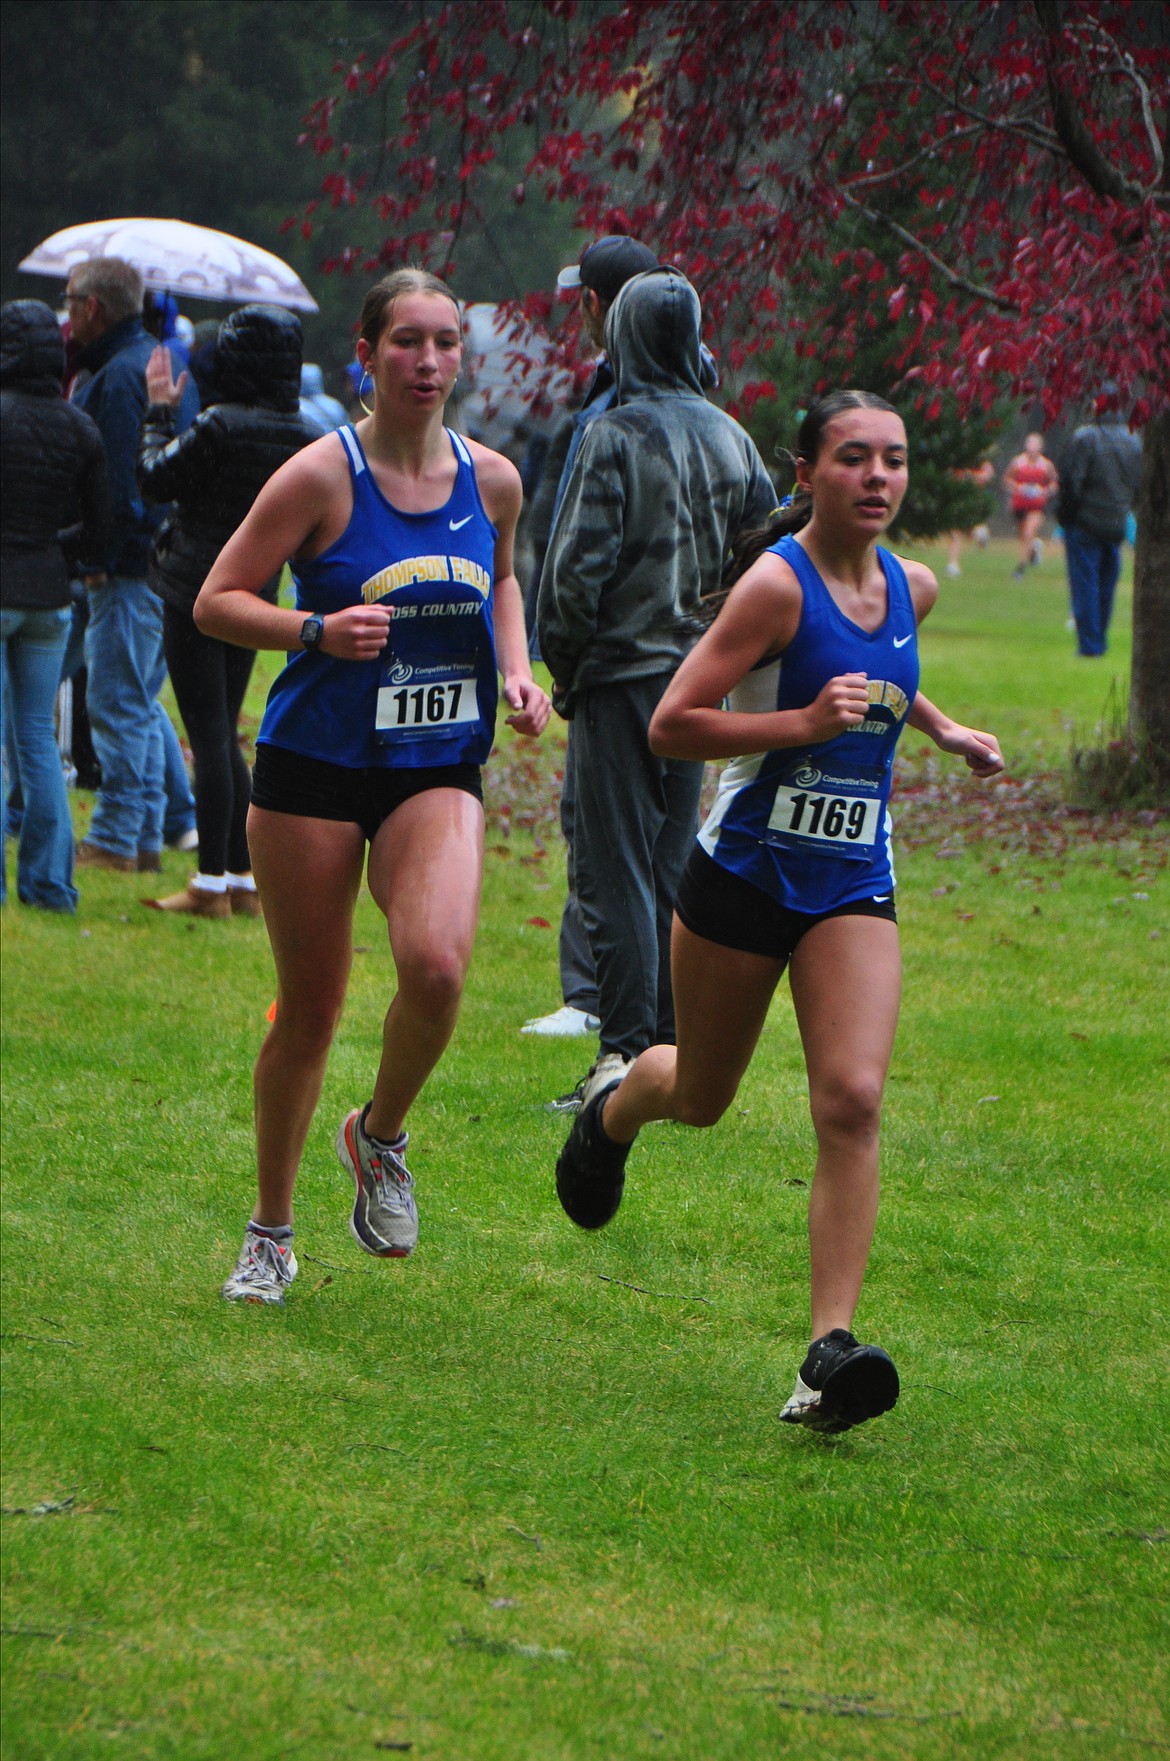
(401, 536)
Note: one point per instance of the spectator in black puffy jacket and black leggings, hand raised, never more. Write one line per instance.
(212, 473)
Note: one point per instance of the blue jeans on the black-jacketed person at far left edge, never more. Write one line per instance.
(34, 644)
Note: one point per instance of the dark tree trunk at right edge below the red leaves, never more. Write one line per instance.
(1150, 691)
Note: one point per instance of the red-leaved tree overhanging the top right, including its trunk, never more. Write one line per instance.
(991, 170)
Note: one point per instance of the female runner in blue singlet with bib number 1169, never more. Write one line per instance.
(818, 659)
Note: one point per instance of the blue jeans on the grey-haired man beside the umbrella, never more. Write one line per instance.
(124, 659)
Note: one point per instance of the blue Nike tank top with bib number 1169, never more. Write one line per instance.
(810, 825)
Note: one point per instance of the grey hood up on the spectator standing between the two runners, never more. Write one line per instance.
(653, 335)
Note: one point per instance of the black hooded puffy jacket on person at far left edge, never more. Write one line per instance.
(54, 482)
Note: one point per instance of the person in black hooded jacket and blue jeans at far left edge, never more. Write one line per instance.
(54, 466)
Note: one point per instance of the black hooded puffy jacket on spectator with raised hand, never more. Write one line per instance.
(218, 468)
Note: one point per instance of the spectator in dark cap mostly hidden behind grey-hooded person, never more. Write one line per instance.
(605, 269)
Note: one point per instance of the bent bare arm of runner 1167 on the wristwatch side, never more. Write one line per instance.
(297, 510)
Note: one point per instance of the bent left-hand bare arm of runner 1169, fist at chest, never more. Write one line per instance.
(760, 619)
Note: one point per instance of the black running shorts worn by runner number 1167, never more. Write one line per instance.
(288, 783)
